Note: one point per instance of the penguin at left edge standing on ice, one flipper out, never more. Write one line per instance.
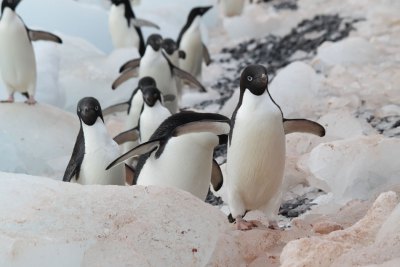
(18, 64)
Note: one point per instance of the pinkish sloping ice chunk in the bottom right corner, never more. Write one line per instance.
(348, 247)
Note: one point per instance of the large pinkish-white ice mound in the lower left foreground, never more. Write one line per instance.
(48, 223)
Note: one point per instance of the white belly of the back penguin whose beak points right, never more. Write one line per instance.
(191, 43)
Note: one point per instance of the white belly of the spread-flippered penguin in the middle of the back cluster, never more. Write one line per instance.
(158, 68)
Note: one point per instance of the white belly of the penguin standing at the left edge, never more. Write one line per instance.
(17, 58)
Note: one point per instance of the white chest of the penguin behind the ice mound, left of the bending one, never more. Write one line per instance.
(100, 150)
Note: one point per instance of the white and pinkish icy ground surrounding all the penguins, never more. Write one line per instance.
(337, 62)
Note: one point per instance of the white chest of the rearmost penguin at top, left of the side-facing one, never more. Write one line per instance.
(122, 34)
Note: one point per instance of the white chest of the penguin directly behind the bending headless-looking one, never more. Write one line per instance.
(150, 120)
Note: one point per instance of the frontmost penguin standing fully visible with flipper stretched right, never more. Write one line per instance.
(256, 146)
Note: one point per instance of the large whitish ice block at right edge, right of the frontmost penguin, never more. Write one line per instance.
(359, 167)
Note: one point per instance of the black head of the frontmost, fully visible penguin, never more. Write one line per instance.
(255, 79)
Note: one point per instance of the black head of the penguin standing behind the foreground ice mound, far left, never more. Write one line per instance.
(89, 110)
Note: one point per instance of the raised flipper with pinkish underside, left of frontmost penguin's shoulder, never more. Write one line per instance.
(218, 127)
